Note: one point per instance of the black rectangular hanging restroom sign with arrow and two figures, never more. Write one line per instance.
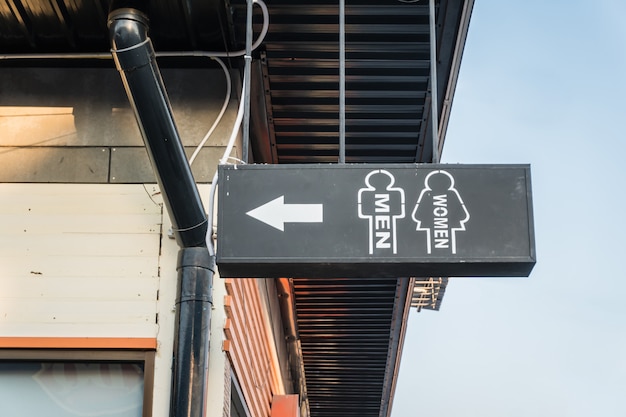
(369, 220)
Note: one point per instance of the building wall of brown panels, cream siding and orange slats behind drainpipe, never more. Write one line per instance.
(86, 260)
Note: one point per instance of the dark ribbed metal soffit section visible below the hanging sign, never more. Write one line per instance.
(349, 334)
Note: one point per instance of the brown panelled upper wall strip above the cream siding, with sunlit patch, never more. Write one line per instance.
(76, 124)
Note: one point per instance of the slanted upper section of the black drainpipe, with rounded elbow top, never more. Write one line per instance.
(135, 60)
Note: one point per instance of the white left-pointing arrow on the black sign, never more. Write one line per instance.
(276, 213)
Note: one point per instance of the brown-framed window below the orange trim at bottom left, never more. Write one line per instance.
(75, 383)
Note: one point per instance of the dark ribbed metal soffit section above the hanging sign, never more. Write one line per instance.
(387, 78)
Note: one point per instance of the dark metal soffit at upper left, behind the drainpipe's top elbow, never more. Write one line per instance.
(63, 26)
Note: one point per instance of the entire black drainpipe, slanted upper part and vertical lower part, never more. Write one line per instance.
(135, 60)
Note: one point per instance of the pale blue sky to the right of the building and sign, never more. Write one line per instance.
(542, 82)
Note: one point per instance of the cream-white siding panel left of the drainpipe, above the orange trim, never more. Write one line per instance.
(79, 260)
